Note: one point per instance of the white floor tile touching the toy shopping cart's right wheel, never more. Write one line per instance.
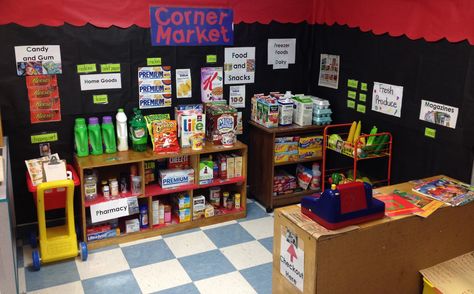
(102, 263)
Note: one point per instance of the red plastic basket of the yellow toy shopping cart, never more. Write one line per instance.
(55, 198)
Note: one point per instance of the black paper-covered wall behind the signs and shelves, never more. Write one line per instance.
(439, 71)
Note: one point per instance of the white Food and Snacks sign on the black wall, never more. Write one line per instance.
(239, 65)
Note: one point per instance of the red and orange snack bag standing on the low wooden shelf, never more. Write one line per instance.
(165, 136)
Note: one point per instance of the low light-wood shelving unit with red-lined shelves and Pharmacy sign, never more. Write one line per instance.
(113, 164)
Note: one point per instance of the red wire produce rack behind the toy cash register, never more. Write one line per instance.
(347, 150)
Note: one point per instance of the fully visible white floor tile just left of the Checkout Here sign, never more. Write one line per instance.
(245, 255)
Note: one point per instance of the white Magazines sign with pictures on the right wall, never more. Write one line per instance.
(439, 114)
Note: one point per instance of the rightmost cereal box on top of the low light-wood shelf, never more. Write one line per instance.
(221, 123)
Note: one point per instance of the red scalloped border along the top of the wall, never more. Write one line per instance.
(431, 20)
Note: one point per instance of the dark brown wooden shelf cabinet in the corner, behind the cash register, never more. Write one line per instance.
(262, 165)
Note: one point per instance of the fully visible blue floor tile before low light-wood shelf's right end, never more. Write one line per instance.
(228, 235)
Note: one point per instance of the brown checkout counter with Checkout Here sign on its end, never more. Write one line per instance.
(381, 256)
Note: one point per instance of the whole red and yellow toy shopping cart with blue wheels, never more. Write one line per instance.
(60, 242)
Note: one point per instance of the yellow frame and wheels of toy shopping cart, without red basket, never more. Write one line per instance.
(57, 243)
